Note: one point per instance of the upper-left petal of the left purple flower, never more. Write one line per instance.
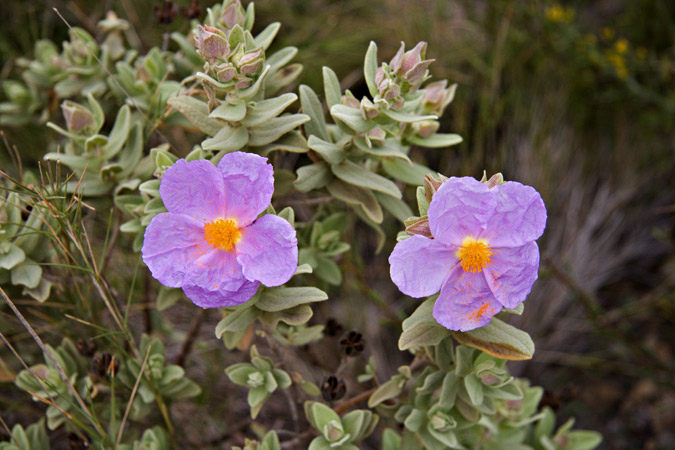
(193, 188)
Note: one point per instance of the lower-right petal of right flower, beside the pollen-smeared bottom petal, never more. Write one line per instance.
(512, 272)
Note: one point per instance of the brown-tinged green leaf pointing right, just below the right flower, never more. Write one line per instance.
(499, 339)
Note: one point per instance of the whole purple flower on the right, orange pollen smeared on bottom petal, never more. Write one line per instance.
(482, 256)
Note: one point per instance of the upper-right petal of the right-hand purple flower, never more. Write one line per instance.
(520, 216)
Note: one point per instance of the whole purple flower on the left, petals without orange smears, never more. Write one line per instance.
(210, 242)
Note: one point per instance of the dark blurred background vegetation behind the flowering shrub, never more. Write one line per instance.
(575, 98)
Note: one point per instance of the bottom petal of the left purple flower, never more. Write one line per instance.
(216, 280)
